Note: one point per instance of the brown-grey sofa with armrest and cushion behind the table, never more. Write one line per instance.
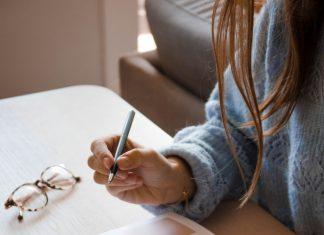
(170, 85)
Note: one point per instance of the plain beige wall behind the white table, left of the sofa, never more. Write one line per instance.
(46, 44)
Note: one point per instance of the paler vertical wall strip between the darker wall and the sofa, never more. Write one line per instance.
(119, 38)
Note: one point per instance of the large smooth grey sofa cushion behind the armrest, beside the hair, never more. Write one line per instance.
(182, 32)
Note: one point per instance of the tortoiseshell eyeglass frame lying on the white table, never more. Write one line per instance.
(44, 184)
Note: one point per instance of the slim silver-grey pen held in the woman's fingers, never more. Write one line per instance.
(121, 144)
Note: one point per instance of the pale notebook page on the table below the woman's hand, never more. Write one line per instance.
(167, 224)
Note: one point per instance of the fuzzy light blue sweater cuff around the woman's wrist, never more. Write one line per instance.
(210, 186)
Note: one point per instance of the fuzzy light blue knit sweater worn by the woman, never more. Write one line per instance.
(291, 186)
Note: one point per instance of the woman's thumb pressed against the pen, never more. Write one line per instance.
(137, 157)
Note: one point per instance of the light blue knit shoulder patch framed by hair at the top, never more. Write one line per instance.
(270, 44)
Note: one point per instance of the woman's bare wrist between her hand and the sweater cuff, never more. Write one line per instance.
(184, 177)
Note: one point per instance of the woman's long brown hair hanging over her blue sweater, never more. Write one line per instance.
(232, 41)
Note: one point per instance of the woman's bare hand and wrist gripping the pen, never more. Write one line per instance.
(144, 176)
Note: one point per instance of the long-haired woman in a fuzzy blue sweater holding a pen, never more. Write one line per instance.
(264, 127)
